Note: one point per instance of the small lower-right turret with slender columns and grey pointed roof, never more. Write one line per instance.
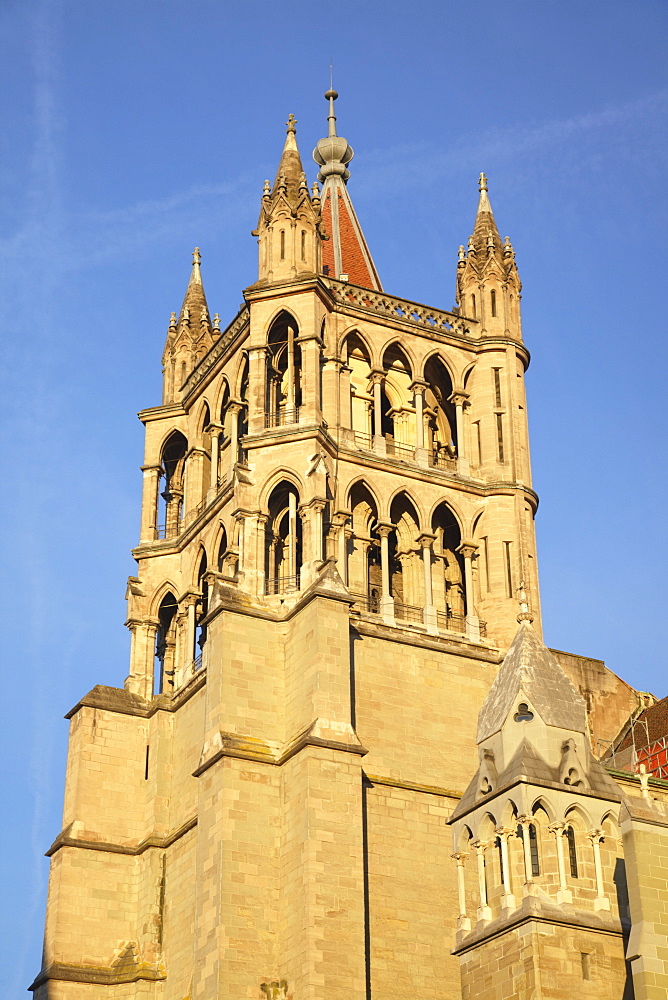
(534, 819)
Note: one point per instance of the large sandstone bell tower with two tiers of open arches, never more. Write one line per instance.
(337, 514)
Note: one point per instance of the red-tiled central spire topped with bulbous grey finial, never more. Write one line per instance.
(345, 254)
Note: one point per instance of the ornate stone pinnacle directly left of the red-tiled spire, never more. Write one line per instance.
(288, 229)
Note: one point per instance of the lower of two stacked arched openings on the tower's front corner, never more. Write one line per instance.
(283, 541)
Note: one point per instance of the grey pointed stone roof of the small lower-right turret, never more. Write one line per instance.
(530, 667)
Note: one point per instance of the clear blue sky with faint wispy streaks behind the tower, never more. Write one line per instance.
(134, 131)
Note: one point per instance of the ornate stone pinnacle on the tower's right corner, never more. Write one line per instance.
(488, 283)
